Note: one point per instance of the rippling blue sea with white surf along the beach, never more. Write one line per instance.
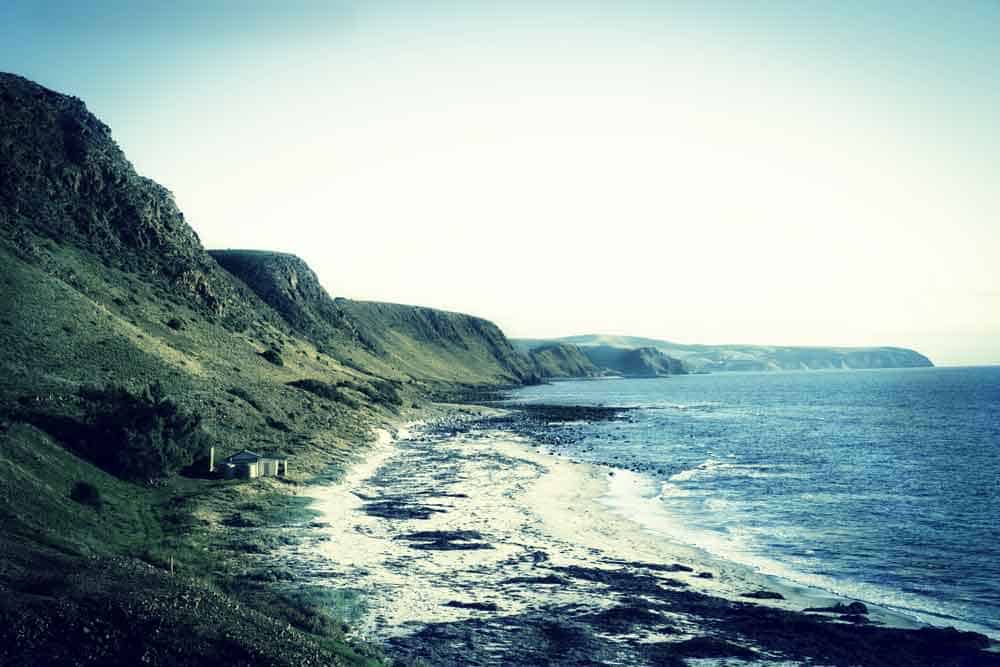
(881, 486)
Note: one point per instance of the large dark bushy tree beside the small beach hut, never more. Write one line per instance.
(138, 436)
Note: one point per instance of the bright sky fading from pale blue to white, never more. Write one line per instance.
(787, 173)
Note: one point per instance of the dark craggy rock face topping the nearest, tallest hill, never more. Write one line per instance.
(62, 177)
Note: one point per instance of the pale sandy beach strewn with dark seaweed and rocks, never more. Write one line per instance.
(462, 536)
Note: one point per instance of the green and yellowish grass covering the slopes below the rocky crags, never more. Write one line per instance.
(102, 327)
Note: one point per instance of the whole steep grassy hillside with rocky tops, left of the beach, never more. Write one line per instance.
(126, 351)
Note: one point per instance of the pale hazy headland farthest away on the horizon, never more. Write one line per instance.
(734, 358)
